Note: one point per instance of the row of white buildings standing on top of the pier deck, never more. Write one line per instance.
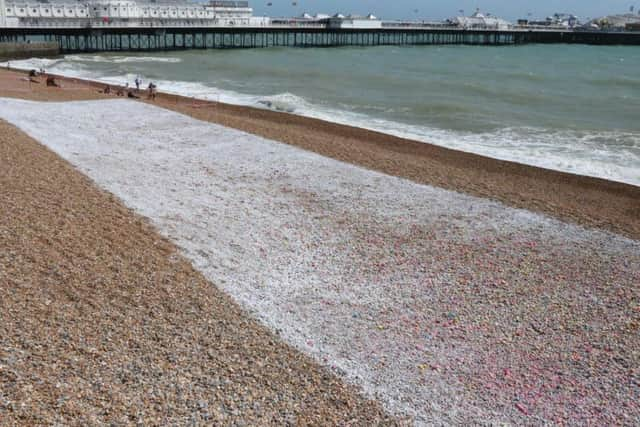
(215, 13)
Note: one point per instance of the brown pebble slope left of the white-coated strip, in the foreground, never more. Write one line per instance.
(102, 321)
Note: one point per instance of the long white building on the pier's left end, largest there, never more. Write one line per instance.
(127, 13)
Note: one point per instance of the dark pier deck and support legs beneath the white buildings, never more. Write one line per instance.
(73, 40)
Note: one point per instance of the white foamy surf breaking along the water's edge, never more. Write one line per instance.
(564, 150)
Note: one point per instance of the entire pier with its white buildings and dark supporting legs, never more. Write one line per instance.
(126, 25)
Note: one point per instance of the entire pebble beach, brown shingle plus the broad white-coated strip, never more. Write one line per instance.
(374, 290)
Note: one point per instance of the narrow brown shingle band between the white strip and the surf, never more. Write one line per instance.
(588, 201)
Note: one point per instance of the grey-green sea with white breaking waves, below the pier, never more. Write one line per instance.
(573, 108)
